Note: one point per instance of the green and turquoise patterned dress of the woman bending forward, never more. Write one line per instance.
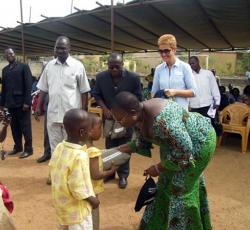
(187, 142)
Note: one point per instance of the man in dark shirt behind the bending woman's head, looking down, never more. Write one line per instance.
(109, 83)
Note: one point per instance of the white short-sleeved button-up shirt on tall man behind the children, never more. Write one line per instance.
(64, 83)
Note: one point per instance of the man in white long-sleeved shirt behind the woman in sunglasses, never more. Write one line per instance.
(207, 92)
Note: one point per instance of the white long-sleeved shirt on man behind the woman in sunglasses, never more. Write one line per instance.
(207, 92)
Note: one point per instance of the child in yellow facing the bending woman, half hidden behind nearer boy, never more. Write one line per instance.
(96, 164)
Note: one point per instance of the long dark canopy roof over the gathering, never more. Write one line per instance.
(197, 25)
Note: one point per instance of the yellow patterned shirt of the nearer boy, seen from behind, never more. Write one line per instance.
(71, 183)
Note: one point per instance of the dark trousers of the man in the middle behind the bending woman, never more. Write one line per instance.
(123, 170)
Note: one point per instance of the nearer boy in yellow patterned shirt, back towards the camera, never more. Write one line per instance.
(72, 191)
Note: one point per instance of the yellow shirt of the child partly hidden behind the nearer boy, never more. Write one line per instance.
(97, 184)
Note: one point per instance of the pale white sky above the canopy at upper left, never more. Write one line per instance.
(10, 9)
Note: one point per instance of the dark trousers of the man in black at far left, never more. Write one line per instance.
(21, 125)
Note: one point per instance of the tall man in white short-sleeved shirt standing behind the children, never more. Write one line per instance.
(65, 80)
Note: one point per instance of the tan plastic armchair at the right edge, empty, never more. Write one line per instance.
(235, 118)
